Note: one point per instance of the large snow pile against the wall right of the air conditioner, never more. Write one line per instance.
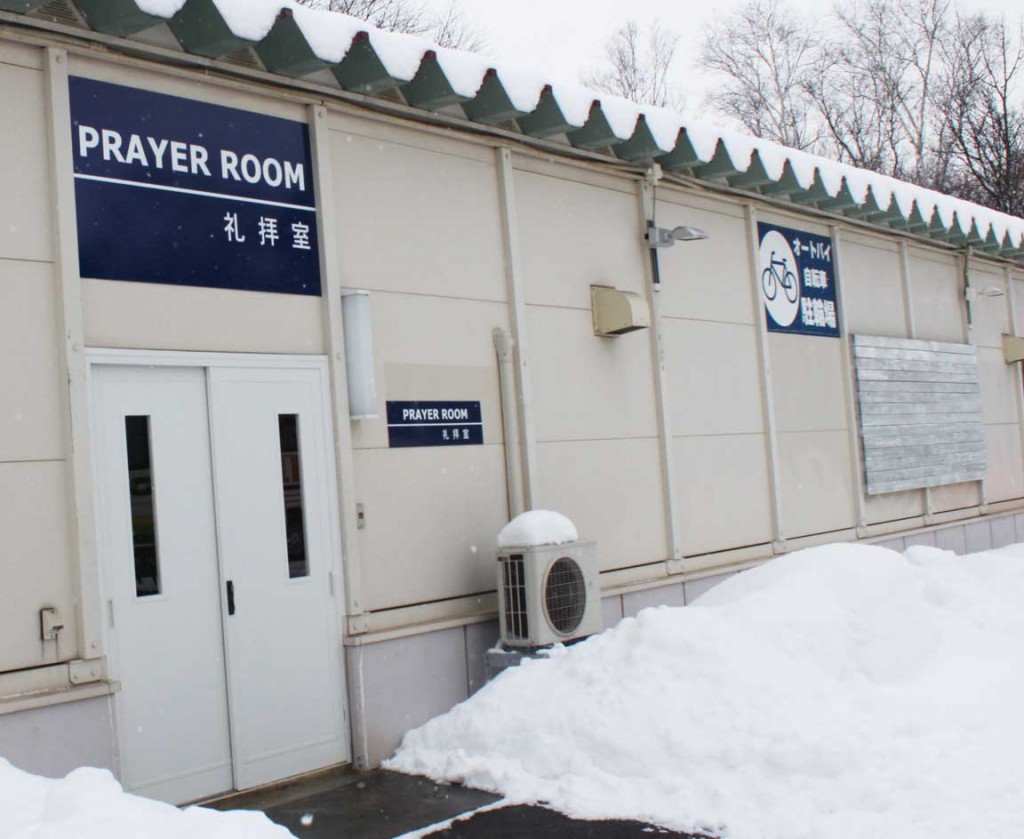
(844, 692)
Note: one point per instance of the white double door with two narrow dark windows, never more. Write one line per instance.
(218, 541)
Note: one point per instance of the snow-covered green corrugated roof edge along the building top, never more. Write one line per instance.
(296, 41)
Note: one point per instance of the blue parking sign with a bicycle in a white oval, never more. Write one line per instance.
(798, 282)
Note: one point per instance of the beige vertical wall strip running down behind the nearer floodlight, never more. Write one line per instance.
(673, 534)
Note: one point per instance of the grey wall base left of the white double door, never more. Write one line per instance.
(55, 740)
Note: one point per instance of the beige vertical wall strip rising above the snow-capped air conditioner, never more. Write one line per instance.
(518, 317)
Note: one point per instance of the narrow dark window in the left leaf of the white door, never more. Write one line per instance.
(144, 516)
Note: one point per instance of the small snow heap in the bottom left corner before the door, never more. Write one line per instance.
(91, 805)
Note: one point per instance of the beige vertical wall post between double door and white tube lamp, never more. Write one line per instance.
(334, 330)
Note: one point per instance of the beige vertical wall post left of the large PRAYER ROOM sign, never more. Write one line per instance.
(81, 504)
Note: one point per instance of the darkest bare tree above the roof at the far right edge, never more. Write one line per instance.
(986, 127)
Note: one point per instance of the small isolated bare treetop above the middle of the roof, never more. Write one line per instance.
(639, 68)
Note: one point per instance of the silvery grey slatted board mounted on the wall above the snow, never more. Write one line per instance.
(920, 413)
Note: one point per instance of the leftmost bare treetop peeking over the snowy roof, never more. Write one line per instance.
(449, 28)
